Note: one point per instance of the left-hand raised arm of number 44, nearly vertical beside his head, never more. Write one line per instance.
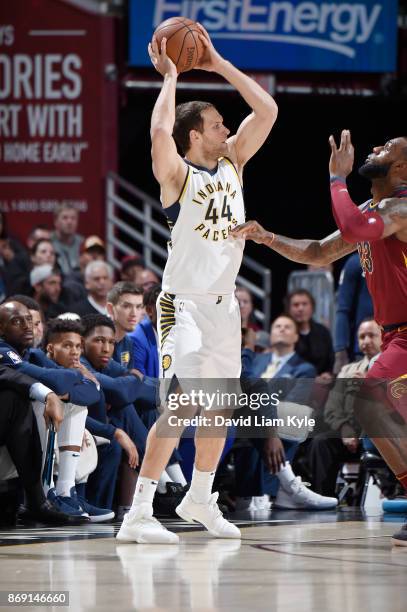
(167, 164)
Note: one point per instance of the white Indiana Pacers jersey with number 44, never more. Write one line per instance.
(202, 258)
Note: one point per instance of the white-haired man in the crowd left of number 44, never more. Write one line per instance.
(98, 282)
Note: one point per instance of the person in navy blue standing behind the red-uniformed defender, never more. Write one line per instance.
(354, 304)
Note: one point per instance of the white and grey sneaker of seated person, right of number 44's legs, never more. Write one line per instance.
(297, 496)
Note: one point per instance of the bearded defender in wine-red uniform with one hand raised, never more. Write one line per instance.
(378, 229)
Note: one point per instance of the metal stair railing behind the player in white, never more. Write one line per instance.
(135, 223)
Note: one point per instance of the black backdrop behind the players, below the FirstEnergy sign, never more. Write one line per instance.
(286, 183)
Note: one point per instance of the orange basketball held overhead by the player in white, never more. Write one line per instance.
(184, 47)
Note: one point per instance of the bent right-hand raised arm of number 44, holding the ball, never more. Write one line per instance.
(255, 128)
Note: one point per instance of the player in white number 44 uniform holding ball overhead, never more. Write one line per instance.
(198, 314)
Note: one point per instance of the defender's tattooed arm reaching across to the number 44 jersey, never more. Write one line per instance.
(306, 251)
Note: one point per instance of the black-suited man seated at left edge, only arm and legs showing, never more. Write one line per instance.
(18, 432)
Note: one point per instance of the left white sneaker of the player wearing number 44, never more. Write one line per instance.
(140, 526)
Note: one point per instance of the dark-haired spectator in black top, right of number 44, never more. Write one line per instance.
(315, 343)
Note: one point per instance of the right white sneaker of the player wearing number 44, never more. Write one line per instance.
(208, 515)
